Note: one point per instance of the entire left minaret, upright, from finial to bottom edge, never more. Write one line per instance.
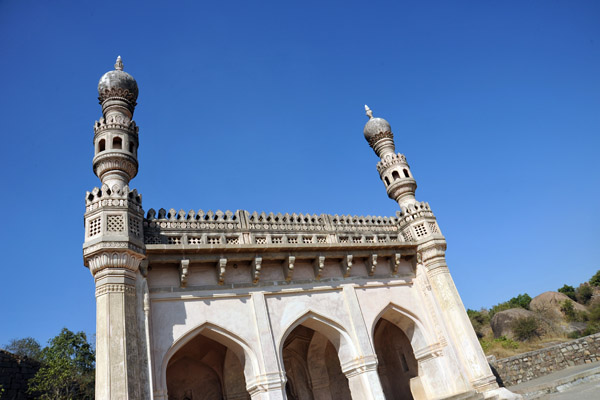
(114, 246)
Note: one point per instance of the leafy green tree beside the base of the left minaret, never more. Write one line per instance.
(67, 370)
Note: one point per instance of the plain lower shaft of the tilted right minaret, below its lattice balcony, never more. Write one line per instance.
(431, 255)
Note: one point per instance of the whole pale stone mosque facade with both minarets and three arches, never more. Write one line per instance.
(204, 305)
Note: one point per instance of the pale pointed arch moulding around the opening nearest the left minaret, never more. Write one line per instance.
(220, 335)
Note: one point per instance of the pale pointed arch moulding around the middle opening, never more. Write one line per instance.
(332, 330)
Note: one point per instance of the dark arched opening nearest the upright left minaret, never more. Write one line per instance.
(207, 370)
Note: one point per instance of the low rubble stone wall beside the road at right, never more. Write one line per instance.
(531, 365)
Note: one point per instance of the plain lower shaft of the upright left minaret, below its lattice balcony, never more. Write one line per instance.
(117, 358)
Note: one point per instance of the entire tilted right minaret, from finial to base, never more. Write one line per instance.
(417, 224)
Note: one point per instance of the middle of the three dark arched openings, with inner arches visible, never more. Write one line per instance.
(312, 367)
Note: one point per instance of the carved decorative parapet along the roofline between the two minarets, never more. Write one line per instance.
(218, 228)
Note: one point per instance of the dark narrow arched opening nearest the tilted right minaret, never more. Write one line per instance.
(396, 361)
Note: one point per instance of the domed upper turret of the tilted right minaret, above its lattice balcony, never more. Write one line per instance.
(393, 168)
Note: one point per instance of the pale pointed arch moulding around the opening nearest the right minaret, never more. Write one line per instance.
(408, 322)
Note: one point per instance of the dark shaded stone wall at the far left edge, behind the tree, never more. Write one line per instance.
(15, 371)
